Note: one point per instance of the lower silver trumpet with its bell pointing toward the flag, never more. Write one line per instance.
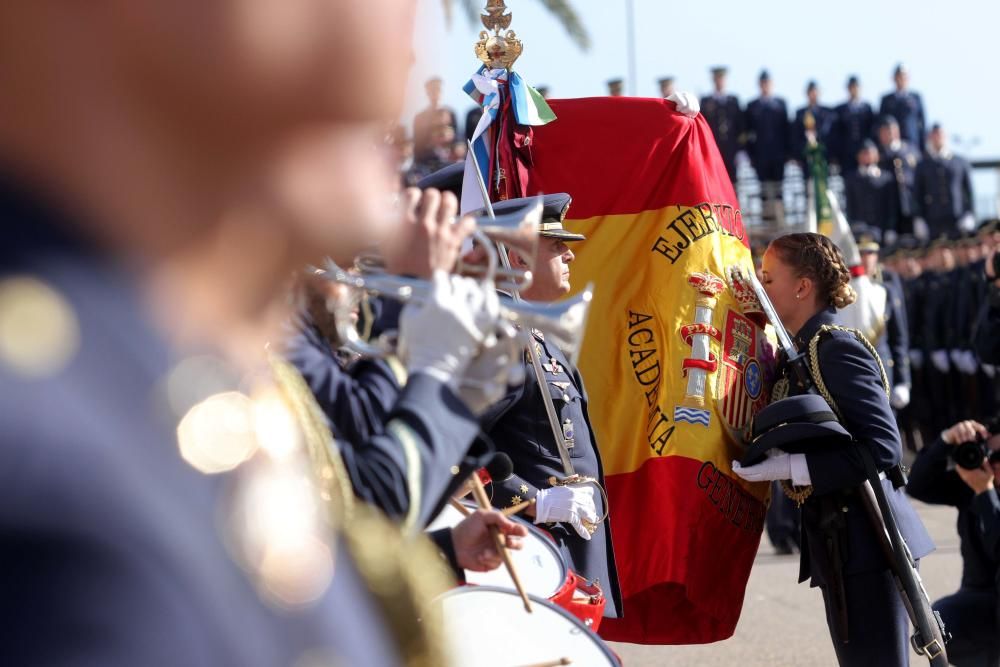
(564, 321)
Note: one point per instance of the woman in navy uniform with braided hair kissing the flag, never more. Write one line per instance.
(807, 280)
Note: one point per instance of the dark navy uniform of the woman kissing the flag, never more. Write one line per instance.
(838, 540)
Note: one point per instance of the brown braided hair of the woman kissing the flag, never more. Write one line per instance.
(816, 257)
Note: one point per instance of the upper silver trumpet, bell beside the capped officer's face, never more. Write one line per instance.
(517, 230)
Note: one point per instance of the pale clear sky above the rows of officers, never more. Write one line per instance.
(950, 48)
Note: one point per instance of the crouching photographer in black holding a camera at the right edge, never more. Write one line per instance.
(960, 468)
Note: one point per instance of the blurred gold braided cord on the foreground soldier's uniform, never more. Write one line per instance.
(402, 574)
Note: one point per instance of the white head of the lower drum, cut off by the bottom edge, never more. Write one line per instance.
(489, 627)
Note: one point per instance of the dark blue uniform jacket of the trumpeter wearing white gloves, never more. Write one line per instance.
(360, 401)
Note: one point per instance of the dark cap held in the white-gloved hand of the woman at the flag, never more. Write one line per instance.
(796, 425)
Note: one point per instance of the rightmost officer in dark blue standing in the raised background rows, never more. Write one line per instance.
(943, 189)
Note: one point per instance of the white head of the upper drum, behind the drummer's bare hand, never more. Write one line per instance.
(539, 564)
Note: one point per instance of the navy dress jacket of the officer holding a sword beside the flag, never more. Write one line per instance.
(519, 426)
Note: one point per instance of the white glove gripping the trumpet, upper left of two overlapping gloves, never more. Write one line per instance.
(439, 336)
